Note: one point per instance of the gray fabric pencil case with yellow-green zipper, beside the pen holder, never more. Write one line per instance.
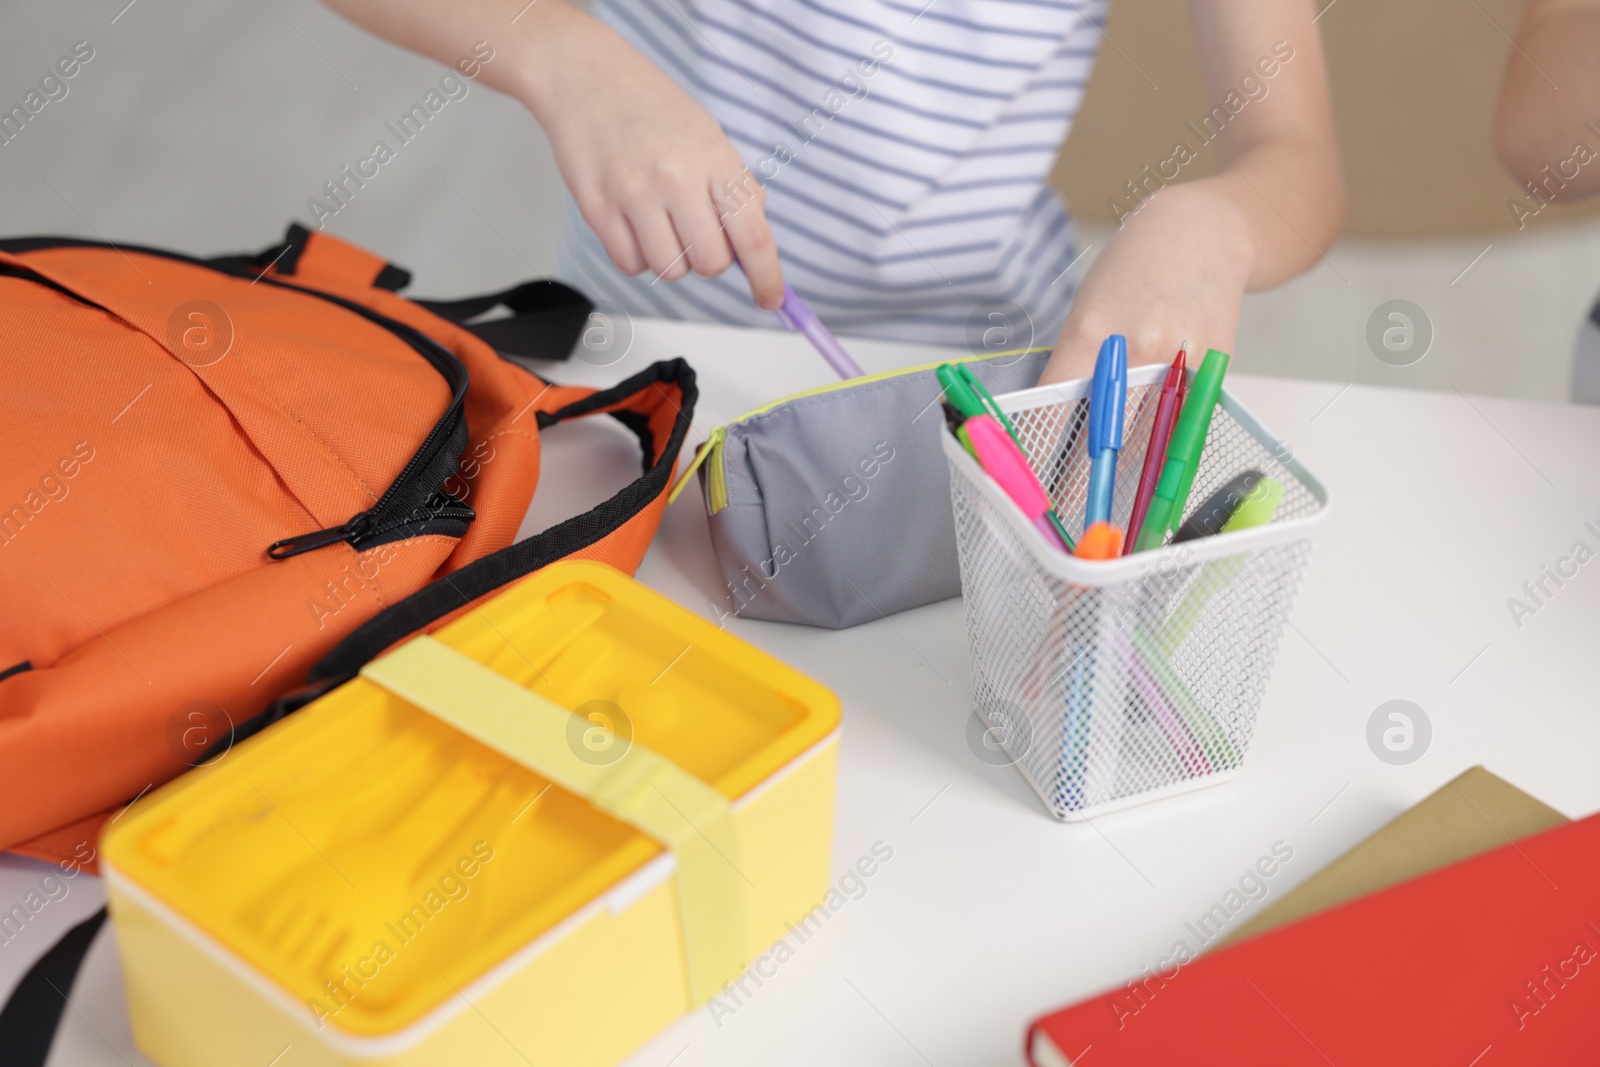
(833, 508)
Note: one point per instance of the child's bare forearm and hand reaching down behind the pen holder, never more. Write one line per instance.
(1178, 270)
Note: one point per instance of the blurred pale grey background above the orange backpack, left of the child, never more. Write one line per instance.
(207, 127)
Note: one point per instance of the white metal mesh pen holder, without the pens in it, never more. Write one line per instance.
(1118, 682)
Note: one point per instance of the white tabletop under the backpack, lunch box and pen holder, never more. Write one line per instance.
(991, 911)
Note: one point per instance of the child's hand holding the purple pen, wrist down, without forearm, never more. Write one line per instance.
(649, 167)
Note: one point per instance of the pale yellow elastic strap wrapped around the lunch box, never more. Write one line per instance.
(642, 789)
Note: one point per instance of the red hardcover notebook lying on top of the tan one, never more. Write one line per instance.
(1490, 962)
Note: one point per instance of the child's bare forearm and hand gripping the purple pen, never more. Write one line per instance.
(650, 169)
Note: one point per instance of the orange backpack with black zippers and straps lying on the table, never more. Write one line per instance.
(223, 481)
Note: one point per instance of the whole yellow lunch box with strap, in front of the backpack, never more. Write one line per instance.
(538, 836)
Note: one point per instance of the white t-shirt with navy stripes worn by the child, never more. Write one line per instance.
(905, 146)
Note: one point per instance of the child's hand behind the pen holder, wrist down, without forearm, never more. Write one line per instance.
(1175, 273)
